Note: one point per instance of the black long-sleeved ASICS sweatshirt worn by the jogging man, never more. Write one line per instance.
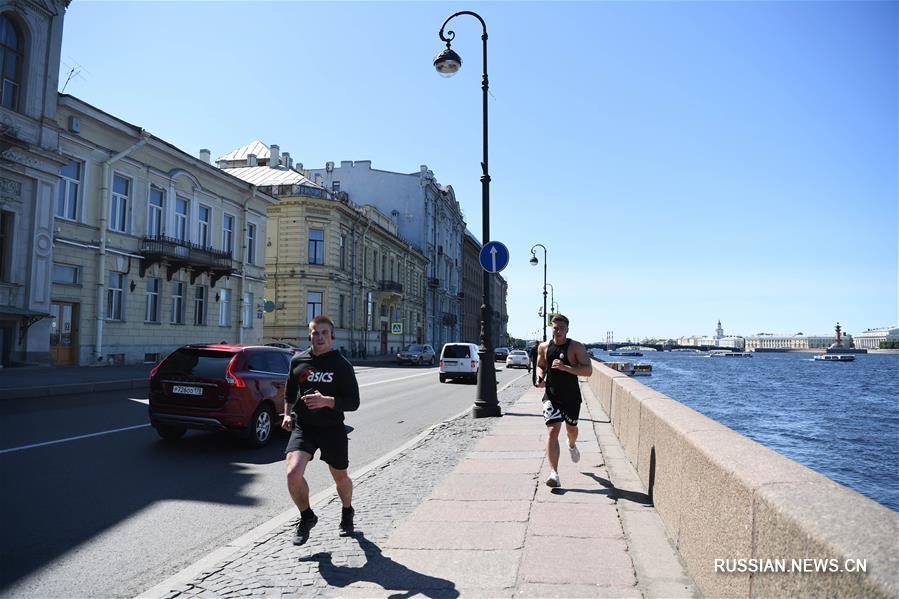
(329, 374)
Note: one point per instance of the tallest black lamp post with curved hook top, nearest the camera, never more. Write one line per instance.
(448, 64)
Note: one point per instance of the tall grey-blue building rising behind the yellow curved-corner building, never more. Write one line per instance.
(428, 215)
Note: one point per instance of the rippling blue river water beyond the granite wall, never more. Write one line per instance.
(841, 419)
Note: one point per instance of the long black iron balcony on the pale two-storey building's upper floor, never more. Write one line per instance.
(176, 254)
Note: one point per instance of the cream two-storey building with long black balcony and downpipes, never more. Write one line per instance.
(153, 248)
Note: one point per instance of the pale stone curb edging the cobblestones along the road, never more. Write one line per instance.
(222, 554)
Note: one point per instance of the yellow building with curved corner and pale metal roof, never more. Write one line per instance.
(328, 255)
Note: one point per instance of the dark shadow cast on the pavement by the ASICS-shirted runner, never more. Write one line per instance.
(390, 575)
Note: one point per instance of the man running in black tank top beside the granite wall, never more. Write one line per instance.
(559, 362)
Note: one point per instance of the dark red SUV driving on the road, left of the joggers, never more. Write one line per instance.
(221, 387)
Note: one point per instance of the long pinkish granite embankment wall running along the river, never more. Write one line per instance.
(724, 496)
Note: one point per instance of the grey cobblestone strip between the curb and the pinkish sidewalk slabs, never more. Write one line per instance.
(273, 567)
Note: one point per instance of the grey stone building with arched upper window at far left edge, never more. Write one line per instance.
(30, 41)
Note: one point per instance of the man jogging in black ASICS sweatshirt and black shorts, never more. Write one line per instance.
(321, 386)
